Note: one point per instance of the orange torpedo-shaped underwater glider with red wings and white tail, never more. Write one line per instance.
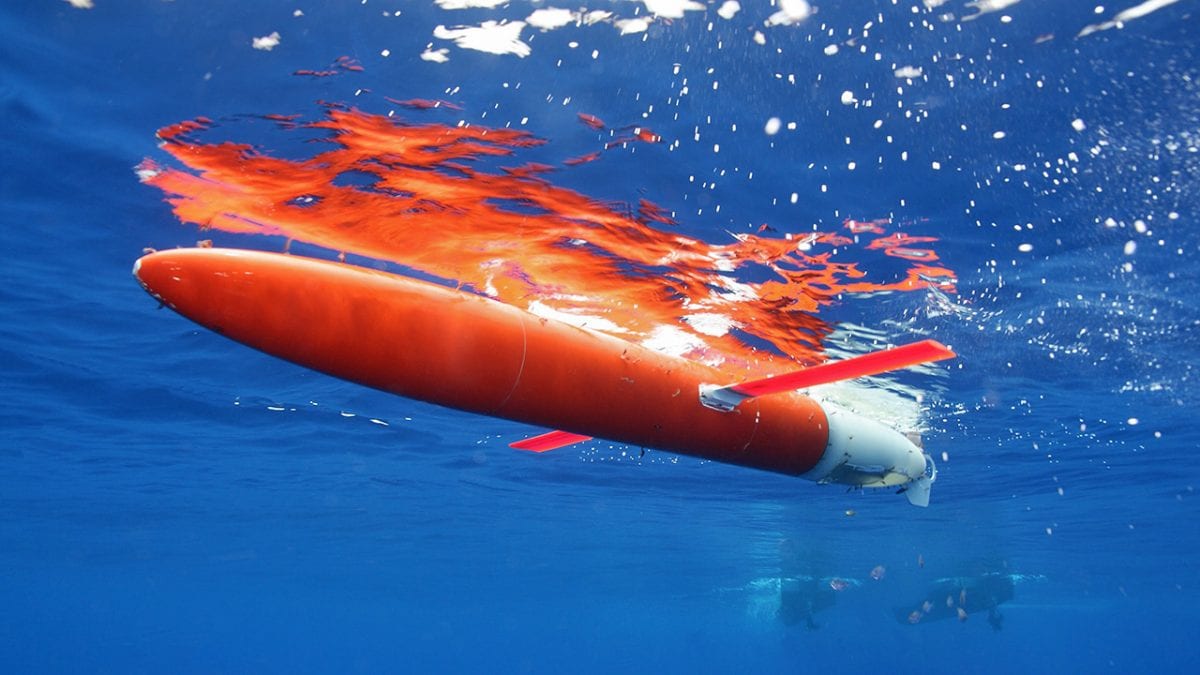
(464, 351)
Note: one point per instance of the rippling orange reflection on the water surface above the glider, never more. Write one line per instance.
(422, 195)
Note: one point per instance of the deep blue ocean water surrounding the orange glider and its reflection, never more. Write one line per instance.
(173, 501)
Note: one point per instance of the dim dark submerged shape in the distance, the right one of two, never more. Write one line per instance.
(959, 598)
